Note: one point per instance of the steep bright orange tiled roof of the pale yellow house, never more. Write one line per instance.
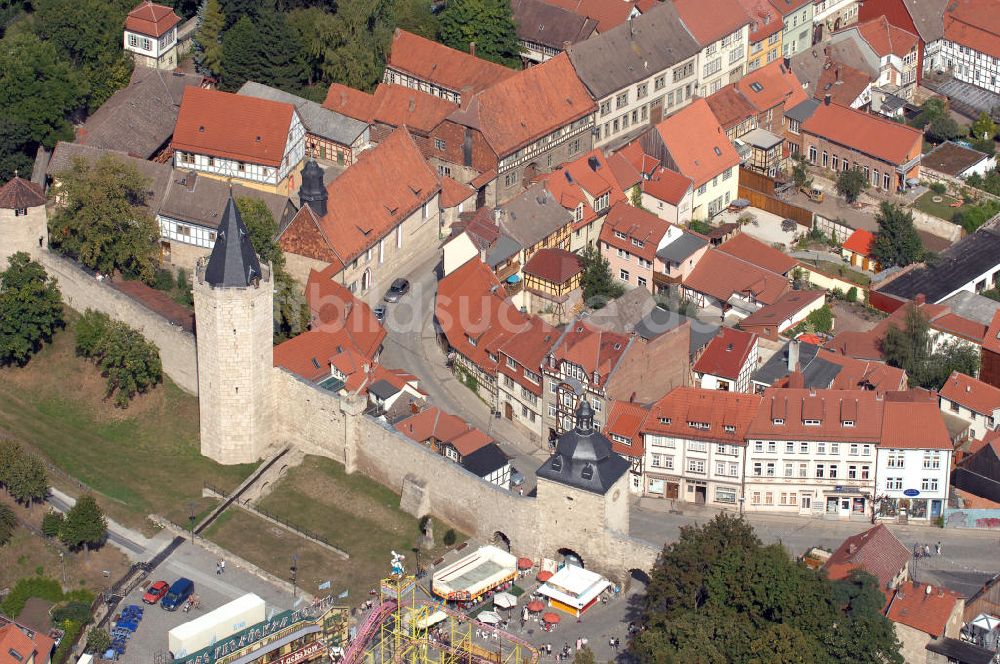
(696, 141)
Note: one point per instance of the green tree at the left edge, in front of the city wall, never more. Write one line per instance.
(30, 309)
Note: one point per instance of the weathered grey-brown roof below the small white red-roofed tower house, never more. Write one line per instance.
(140, 118)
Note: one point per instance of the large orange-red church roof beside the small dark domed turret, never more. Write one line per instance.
(369, 199)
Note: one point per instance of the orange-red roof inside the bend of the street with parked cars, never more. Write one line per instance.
(471, 302)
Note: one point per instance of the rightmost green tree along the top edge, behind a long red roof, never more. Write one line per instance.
(487, 23)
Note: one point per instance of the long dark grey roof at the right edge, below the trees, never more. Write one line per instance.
(956, 266)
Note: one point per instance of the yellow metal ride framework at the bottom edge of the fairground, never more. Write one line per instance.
(407, 637)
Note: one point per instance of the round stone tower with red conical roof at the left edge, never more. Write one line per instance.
(23, 221)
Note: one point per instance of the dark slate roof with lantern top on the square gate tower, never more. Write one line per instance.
(584, 458)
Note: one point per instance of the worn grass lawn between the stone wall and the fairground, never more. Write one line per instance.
(353, 512)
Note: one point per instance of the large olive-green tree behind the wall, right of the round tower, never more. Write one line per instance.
(102, 219)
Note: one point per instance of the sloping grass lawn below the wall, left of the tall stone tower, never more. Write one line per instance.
(140, 460)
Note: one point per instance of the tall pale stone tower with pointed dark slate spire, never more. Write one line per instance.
(233, 303)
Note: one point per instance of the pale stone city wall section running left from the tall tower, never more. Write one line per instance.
(82, 291)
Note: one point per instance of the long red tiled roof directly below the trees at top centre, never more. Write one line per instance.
(443, 66)
